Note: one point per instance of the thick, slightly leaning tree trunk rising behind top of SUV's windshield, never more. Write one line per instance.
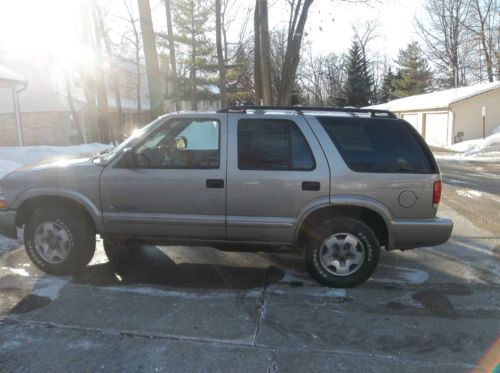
(151, 56)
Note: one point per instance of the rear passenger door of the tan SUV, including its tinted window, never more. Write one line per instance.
(276, 169)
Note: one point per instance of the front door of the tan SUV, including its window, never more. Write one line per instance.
(177, 189)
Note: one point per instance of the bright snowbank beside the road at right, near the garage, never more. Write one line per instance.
(487, 149)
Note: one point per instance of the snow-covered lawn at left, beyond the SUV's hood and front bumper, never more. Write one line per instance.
(12, 158)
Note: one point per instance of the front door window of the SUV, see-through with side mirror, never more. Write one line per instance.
(182, 143)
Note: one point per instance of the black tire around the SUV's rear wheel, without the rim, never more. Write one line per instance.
(369, 245)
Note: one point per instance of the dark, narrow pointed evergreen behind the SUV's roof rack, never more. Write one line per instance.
(358, 86)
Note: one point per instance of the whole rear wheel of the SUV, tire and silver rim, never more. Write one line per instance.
(342, 252)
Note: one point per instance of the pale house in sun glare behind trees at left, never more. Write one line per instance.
(53, 106)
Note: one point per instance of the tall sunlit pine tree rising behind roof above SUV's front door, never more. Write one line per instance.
(191, 18)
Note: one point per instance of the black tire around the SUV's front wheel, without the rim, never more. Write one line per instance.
(80, 233)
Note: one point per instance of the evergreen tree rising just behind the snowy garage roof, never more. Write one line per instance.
(415, 76)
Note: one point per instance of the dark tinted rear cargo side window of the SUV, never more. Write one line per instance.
(378, 145)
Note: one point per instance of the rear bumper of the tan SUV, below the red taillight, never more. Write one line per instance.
(409, 234)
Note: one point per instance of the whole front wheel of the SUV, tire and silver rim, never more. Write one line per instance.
(59, 242)
